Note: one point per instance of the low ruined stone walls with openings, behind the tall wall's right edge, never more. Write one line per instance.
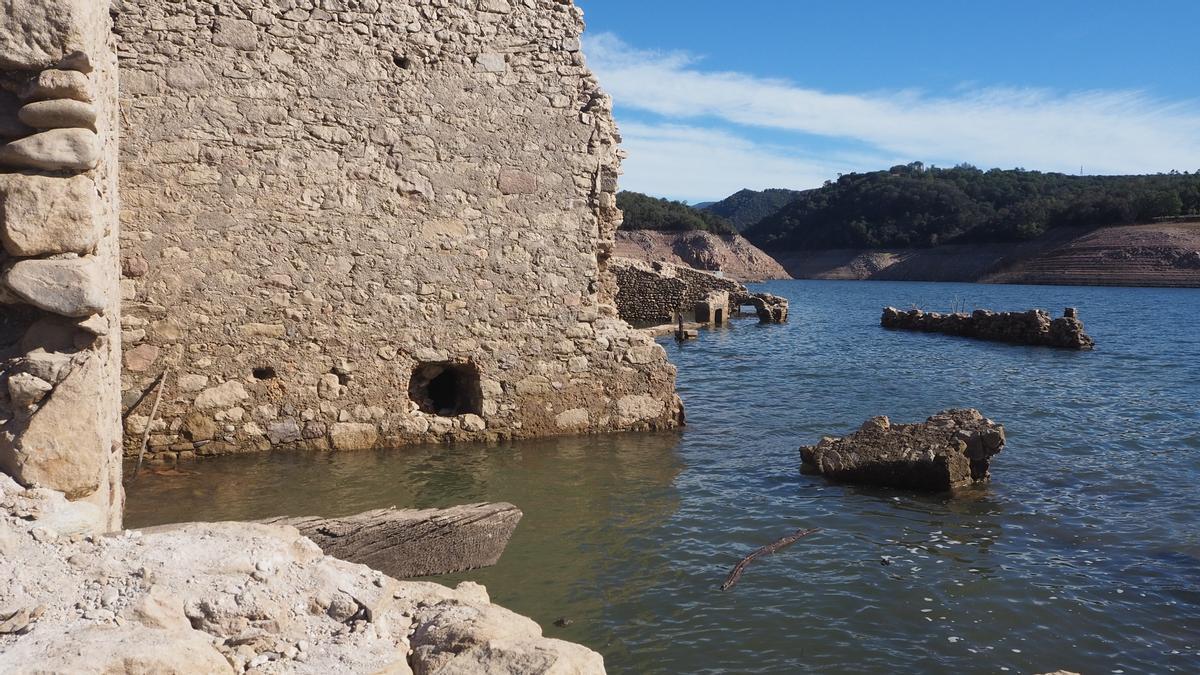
(657, 294)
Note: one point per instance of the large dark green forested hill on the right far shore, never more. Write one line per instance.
(915, 207)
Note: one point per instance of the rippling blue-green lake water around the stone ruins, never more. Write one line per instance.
(1083, 554)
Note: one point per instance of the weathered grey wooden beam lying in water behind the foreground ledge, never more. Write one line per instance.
(415, 543)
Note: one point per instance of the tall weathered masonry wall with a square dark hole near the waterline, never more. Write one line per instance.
(323, 199)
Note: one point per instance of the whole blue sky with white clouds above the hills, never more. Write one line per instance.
(713, 97)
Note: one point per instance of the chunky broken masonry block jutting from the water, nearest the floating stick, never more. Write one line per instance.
(951, 450)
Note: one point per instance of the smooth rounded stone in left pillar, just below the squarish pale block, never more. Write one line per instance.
(69, 288)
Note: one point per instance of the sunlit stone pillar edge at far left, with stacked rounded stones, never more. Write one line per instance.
(59, 325)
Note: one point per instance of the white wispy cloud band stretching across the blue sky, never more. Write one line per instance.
(1103, 132)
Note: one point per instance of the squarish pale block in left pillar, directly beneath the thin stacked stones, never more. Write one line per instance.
(43, 216)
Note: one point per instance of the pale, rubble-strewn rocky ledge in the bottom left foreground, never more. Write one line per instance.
(236, 598)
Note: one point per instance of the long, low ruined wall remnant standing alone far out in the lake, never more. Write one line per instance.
(1034, 327)
